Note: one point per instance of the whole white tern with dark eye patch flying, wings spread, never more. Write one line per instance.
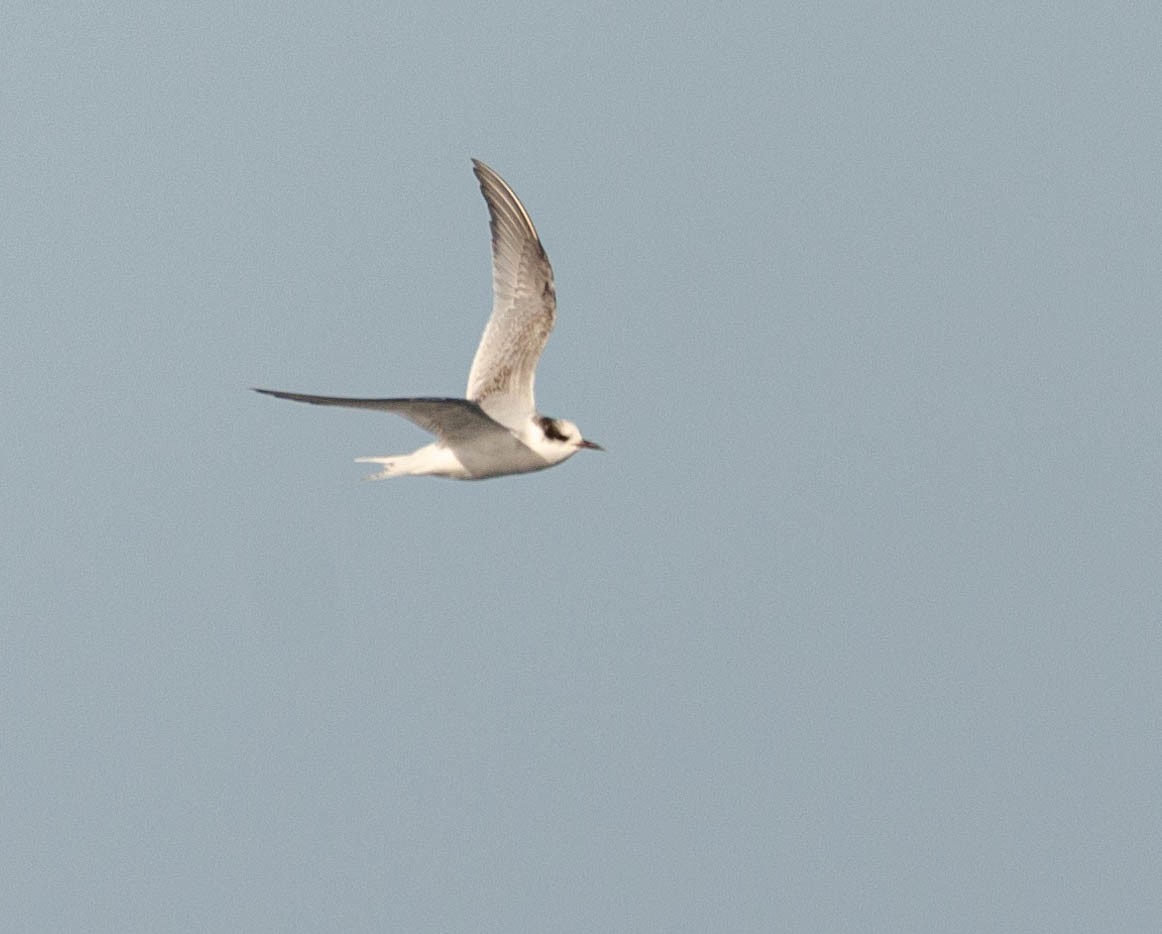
(497, 429)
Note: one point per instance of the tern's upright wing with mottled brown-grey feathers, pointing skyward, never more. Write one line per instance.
(525, 308)
